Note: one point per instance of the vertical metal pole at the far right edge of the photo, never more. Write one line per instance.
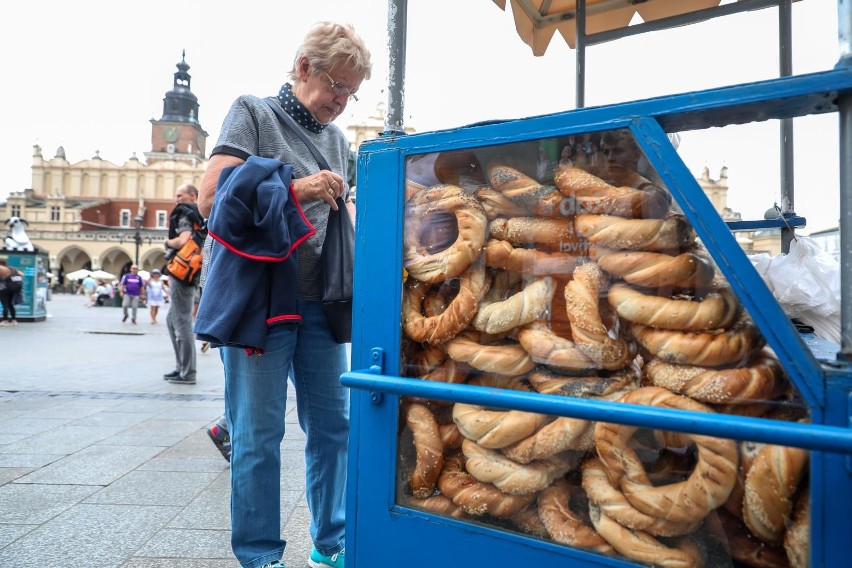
(844, 20)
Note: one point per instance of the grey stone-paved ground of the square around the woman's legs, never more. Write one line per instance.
(103, 463)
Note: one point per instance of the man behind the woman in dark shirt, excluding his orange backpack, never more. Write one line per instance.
(182, 295)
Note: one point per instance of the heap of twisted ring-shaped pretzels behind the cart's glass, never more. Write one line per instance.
(590, 286)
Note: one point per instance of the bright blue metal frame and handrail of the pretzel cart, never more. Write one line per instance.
(378, 530)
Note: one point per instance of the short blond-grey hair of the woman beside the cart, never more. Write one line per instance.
(329, 45)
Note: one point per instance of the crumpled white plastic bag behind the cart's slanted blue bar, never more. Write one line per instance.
(806, 282)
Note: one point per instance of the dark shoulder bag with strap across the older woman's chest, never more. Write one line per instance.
(338, 249)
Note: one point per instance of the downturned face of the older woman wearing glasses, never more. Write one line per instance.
(326, 93)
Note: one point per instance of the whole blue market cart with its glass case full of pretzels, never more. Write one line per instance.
(445, 463)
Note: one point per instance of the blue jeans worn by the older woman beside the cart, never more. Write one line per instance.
(255, 400)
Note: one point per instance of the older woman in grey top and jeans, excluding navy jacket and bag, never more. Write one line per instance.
(327, 72)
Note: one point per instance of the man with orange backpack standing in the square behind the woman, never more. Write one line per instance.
(185, 224)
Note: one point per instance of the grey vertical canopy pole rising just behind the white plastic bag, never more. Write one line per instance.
(785, 55)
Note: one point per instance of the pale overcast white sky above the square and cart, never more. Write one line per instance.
(90, 76)
